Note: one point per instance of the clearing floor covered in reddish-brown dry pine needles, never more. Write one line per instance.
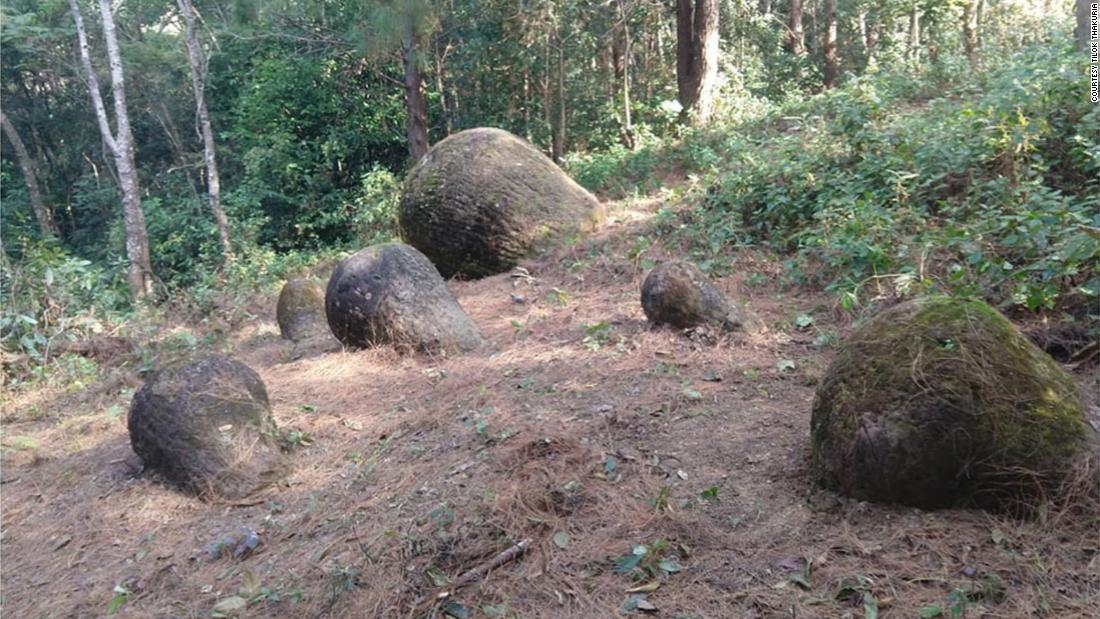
(423, 469)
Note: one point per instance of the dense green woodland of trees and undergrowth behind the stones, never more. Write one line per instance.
(877, 149)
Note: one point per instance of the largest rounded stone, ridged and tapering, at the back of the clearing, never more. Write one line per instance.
(482, 200)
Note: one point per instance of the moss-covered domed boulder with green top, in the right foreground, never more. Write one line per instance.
(940, 402)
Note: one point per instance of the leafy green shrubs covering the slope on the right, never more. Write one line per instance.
(984, 192)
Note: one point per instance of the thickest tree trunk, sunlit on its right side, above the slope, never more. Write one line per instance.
(697, 58)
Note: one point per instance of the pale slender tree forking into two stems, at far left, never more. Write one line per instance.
(120, 143)
